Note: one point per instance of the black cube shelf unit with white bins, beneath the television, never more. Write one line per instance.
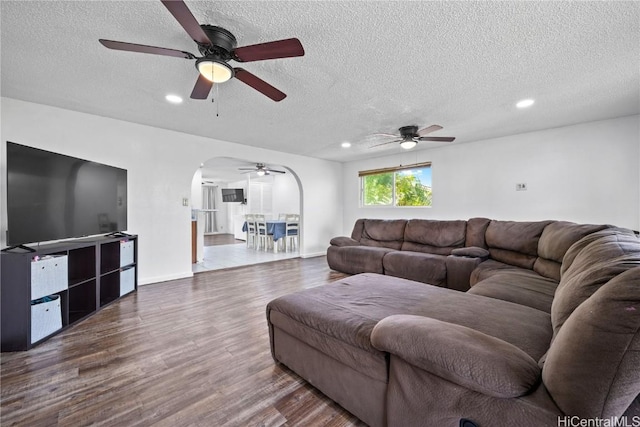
(85, 274)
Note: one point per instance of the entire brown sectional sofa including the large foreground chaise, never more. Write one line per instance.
(549, 329)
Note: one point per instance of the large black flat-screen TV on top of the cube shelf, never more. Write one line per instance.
(51, 196)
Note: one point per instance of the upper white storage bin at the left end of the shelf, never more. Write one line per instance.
(49, 275)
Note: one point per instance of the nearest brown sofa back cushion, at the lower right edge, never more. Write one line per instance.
(591, 369)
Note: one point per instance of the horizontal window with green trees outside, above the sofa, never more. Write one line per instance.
(400, 186)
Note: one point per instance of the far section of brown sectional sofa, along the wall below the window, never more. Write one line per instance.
(448, 253)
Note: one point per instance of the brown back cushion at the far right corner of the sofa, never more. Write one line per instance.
(554, 242)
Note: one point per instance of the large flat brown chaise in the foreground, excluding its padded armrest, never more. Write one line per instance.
(323, 334)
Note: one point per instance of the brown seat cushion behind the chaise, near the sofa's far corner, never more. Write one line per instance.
(520, 286)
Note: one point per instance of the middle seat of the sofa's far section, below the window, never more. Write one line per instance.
(418, 266)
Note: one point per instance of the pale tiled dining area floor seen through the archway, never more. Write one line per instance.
(237, 254)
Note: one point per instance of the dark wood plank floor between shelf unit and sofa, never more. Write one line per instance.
(190, 352)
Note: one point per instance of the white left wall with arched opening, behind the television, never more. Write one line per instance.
(161, 165)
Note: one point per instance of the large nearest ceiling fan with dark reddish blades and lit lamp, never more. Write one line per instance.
(217, 47)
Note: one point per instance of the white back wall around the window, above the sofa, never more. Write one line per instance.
(586, 173)
